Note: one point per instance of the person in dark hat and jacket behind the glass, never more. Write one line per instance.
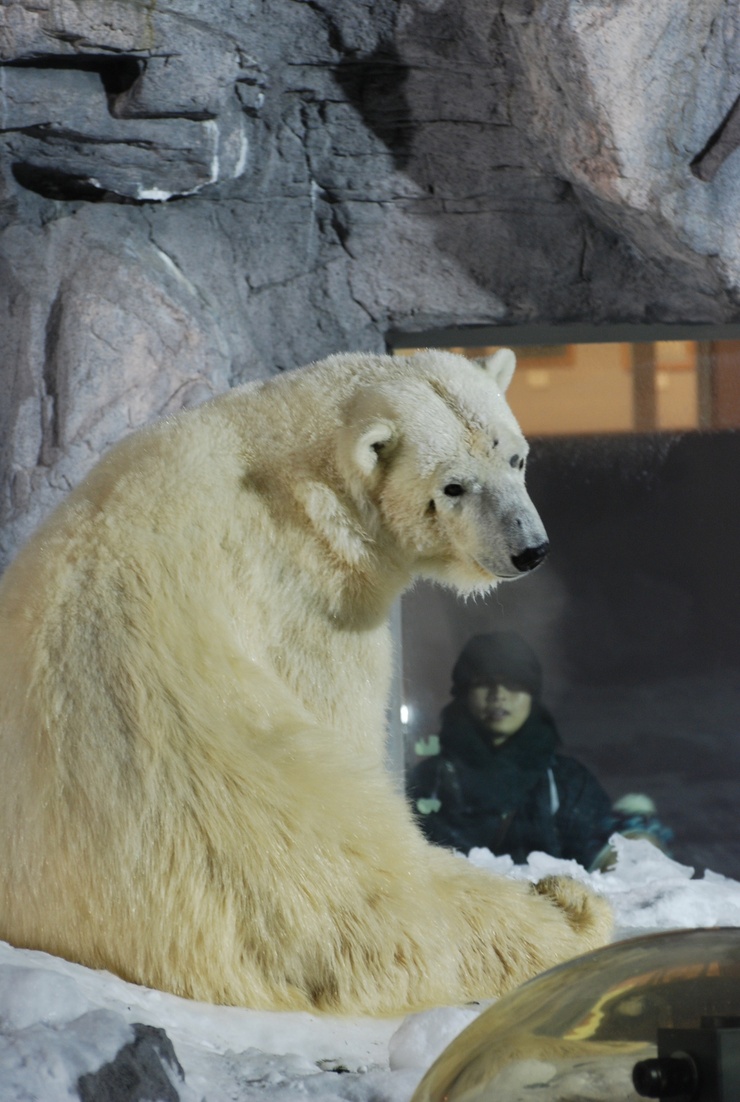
(495, 777)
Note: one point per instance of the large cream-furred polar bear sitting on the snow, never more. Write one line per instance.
(195, 664)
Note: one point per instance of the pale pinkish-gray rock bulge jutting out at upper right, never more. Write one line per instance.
(630, 105)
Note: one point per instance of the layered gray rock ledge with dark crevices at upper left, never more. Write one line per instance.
(116, 102)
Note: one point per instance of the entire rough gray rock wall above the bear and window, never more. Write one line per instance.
(200, 195)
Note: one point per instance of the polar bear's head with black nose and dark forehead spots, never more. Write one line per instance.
(437, 456)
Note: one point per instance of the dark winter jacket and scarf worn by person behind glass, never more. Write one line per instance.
(514, 800)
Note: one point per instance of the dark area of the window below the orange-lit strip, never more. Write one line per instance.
(636, 618)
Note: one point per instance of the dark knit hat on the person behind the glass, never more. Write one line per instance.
(498, 657)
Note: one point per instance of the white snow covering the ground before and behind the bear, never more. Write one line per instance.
(66, 1031)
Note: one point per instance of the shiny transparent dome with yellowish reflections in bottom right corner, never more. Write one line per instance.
(576, 1033)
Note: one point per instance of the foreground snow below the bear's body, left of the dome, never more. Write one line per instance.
(61, 1023)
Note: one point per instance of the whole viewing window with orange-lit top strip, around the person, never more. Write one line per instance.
(636, 615)
